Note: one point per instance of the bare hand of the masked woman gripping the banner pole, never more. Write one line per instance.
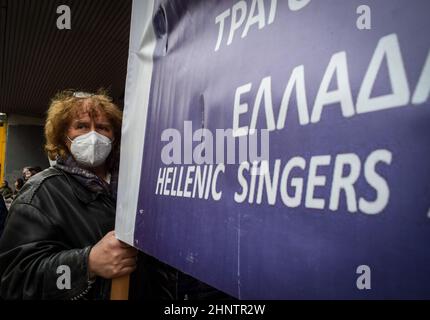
(111, 258)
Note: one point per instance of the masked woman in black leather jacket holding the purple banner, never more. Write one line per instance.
(58, 241)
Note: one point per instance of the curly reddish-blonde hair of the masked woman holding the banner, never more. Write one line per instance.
(65, 106)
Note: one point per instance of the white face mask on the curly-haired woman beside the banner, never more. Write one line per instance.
(91, 149)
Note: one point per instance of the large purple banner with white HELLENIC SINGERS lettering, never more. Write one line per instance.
(335, 201)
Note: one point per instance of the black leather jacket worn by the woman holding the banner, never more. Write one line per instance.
(53, 222)
